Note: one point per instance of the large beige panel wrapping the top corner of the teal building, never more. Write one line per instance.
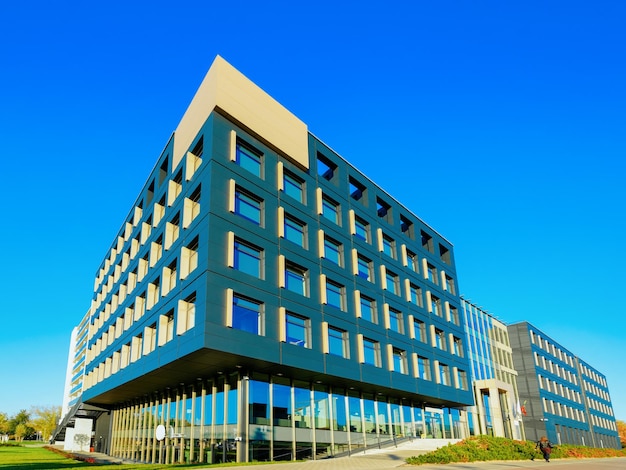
(229, 90)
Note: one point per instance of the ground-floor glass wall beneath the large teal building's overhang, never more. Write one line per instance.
(260, 418)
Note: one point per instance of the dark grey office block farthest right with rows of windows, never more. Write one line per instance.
(564, 398)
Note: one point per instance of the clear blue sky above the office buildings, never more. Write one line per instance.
(501, 124)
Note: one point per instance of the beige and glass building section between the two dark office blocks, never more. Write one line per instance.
(497, 411)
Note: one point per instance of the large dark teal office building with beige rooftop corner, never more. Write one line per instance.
(265, 300)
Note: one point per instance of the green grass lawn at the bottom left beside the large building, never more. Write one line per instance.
(39, 458)
